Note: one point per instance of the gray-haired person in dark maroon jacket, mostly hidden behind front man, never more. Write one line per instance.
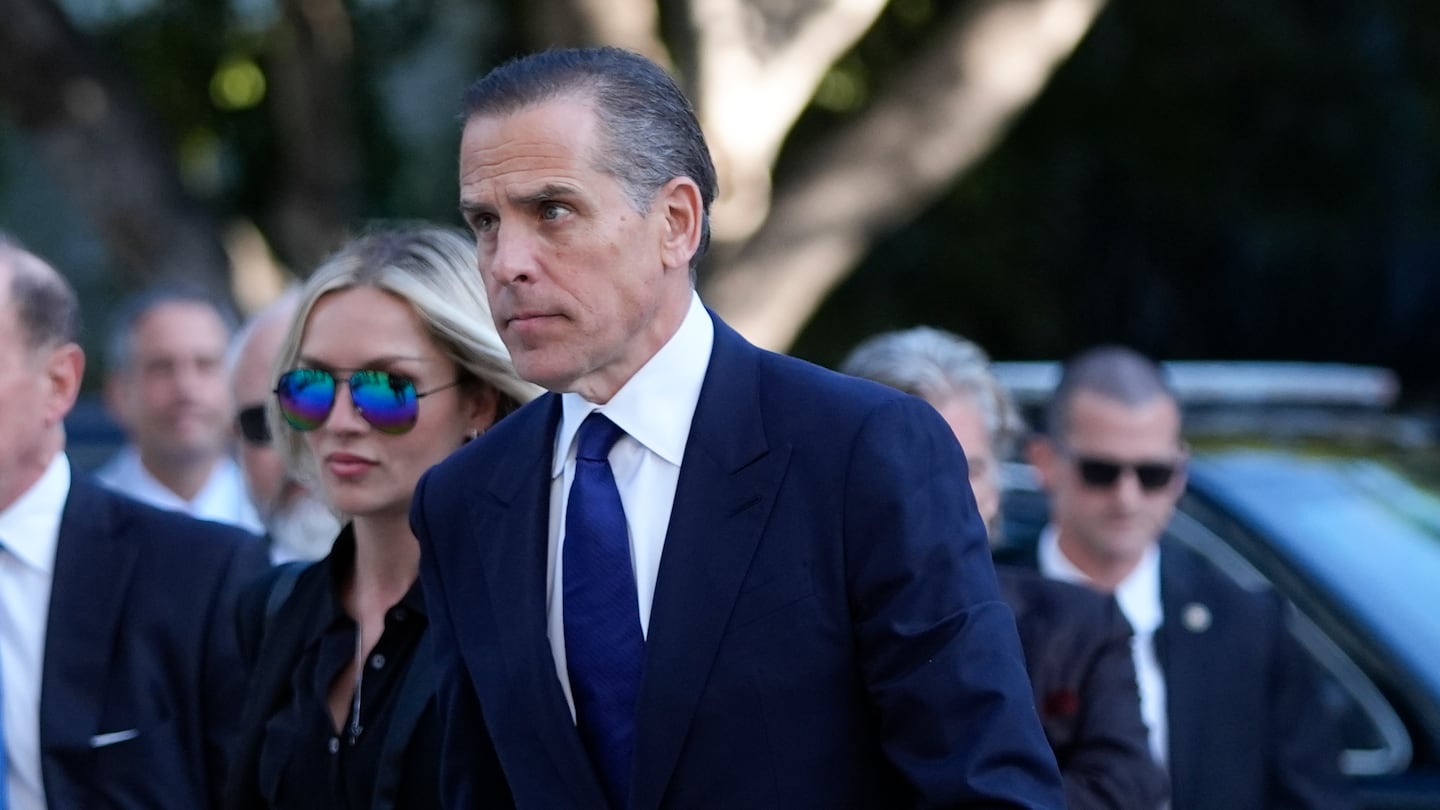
(1078, 644)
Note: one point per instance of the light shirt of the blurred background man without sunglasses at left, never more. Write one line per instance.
(224, 497)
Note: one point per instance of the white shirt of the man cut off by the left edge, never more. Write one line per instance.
(31, 533)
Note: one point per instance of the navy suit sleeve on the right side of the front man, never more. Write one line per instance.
(940, 651)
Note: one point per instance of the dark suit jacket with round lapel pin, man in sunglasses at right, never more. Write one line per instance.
(1246, 723)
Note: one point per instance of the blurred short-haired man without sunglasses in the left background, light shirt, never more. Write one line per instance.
(166, 388)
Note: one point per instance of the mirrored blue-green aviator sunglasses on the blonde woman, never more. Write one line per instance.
(387, 401)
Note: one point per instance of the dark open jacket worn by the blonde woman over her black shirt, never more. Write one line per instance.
(273, 645)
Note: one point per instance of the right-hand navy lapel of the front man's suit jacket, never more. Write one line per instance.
(728, 485)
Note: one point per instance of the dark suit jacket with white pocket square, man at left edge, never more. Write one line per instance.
(140, 648)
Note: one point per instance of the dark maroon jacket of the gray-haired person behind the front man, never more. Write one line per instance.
(1078, 652)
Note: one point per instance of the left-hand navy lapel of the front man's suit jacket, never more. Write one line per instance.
(515, 514)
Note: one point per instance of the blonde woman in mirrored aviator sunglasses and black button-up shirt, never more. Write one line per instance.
(392, 364)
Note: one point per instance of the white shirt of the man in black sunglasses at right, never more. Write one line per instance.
(1140, 597)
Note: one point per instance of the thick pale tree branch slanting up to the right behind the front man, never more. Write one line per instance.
(937, 120)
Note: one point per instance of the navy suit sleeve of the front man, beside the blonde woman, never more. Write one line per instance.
(470, 770)
